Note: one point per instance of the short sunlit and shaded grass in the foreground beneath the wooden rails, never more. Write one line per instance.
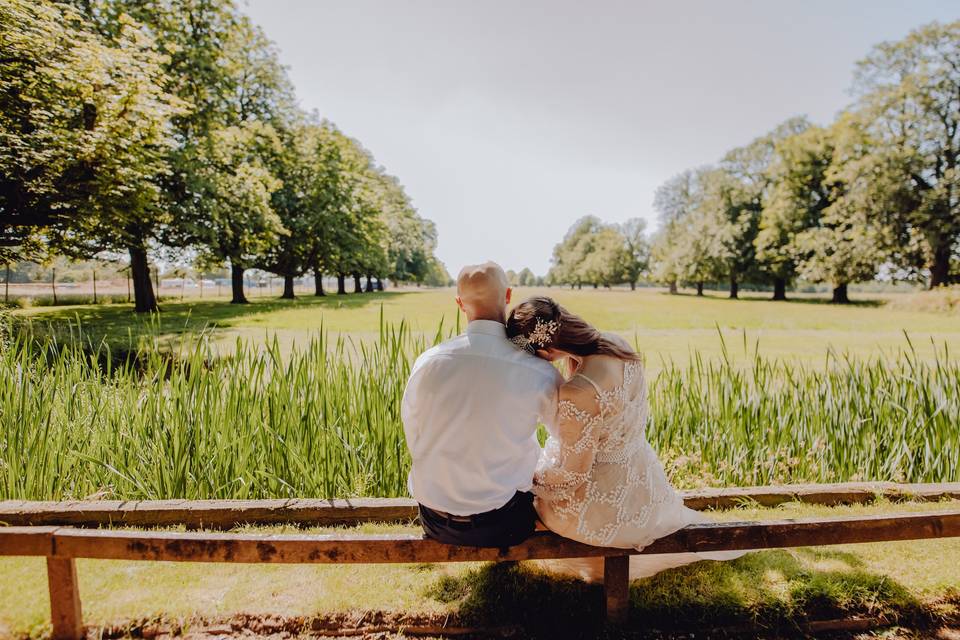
(914, 582)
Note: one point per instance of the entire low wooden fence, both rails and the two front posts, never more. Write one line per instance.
(62, 545)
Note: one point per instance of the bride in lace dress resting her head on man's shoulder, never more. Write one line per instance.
(598, 480)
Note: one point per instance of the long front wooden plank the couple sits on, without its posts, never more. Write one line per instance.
(224, 547)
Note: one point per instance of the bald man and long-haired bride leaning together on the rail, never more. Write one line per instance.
(470, 415)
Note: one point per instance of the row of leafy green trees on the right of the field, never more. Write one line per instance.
(876, 190)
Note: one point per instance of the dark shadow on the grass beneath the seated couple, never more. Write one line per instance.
(773, 590)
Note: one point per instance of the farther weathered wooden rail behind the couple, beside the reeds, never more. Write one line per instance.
(224, 514)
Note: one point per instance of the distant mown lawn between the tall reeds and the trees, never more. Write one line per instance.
(665, 327)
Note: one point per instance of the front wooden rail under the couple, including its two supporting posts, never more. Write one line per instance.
(62, 545)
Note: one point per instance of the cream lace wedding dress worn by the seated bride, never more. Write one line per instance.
(600, 482)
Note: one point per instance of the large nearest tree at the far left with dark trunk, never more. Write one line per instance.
(84, 118)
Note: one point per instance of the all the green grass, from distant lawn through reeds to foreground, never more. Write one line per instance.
(292, 413)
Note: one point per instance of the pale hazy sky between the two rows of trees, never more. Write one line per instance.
(507, 120)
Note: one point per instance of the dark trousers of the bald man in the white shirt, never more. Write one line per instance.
(504, 527)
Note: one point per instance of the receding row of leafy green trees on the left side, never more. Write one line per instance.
(131, 127)
